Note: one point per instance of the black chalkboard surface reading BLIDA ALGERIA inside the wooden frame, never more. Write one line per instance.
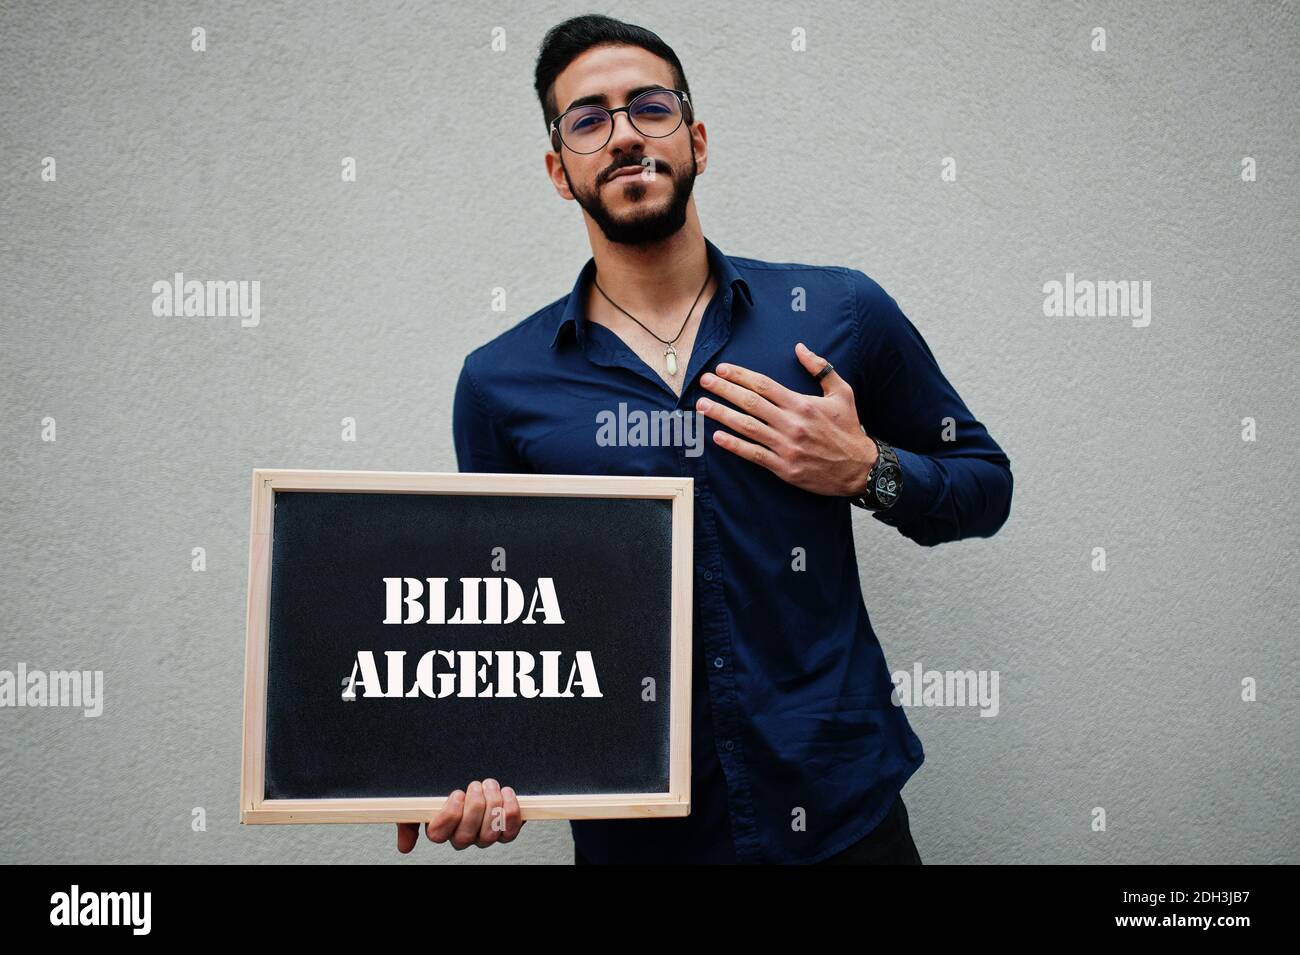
(340, 566)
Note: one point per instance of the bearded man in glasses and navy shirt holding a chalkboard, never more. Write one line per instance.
(811, 392)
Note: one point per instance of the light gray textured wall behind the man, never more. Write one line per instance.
(1119, 689)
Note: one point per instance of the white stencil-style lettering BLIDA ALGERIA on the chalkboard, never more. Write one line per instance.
(465, 675)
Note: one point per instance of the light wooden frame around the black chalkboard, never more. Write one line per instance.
(255, 809)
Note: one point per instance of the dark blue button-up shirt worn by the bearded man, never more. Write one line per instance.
(798, 750)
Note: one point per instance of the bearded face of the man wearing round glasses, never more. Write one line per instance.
(636, 209)
